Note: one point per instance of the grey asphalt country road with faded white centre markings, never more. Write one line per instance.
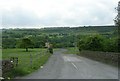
(70, 66)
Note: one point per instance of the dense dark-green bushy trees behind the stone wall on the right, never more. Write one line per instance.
(98, 43)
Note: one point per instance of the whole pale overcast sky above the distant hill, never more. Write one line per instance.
(45, 13)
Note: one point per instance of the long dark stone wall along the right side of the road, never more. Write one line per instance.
(106, 57)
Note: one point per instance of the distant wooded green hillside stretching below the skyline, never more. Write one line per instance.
(60, 37)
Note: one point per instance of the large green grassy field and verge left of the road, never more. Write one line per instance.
(26, 63)
